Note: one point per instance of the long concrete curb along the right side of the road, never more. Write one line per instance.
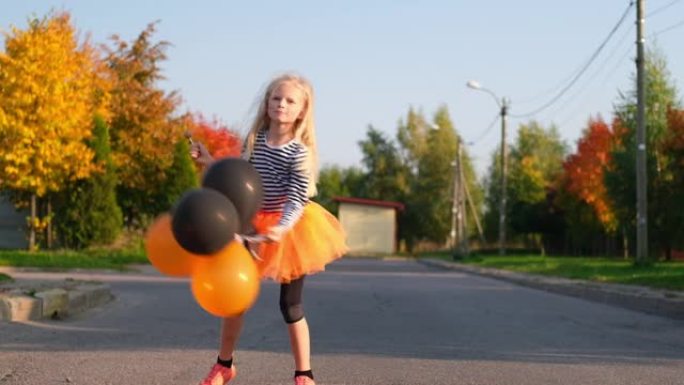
(667, 303)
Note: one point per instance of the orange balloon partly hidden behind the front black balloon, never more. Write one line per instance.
(165, 253)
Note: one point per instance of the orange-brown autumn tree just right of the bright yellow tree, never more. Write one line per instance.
(144, 130)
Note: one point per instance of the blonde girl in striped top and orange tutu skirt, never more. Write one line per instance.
(301, 237)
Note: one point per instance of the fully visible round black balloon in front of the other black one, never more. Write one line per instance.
(204, 221)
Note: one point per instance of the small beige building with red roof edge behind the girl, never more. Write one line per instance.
(371, 225)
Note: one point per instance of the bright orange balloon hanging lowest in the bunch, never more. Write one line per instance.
(227, 283)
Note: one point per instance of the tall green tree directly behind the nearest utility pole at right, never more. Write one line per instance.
(661, 96)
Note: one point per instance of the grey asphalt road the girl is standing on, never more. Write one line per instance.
(372, 322)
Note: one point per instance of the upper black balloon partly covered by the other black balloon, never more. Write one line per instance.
(240, 182)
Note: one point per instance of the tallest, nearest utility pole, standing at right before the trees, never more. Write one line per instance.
(641, 176)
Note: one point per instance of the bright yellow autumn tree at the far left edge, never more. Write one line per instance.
(50, 88)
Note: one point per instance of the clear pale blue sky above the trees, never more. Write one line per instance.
(370, 61)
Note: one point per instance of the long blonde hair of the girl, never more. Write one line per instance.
(304, 130)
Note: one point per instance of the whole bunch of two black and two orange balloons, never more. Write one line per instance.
(197, 239)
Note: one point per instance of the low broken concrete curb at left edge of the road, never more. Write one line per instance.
(36, 301)
